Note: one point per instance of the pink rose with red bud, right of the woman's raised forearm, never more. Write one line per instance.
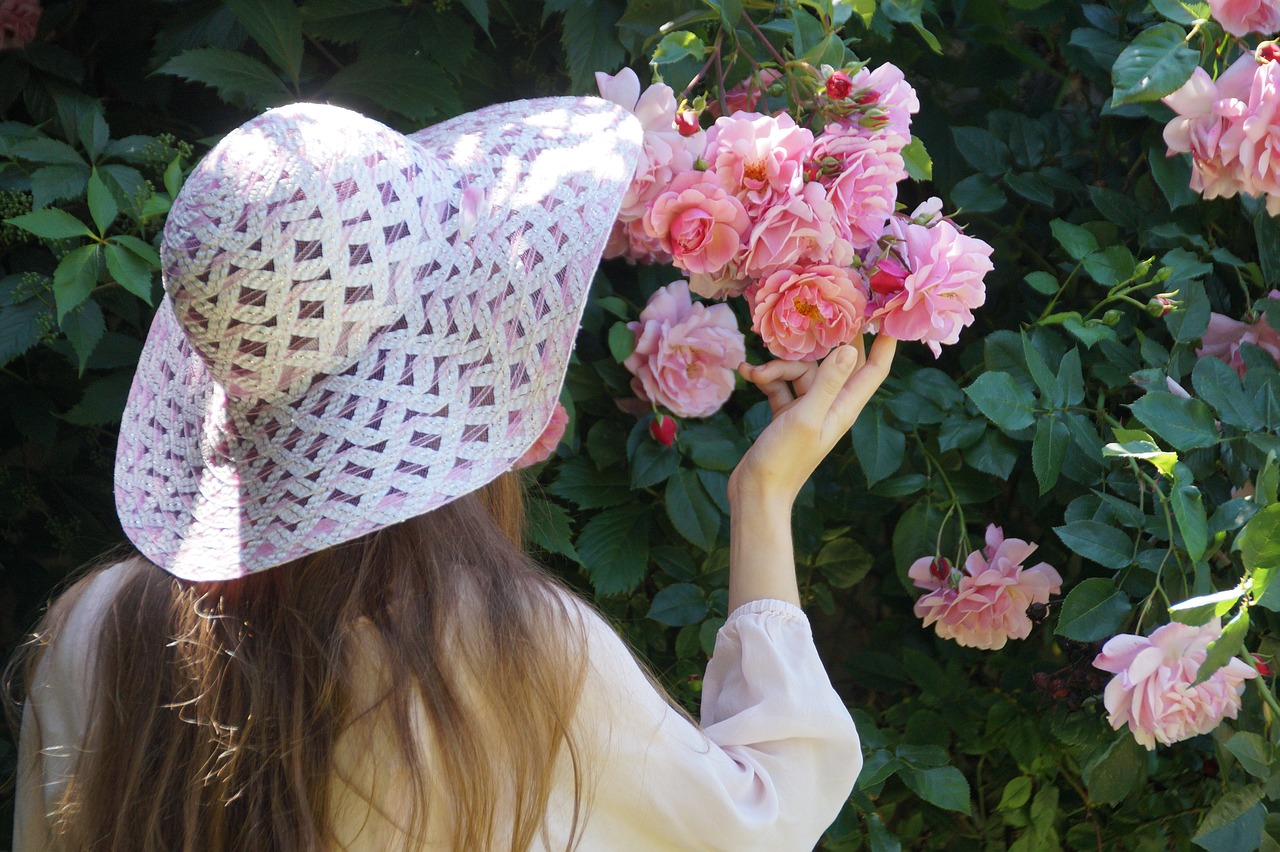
(984, 606)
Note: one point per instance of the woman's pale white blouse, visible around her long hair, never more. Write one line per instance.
(770, 768)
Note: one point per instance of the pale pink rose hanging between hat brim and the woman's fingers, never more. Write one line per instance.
(687, 354)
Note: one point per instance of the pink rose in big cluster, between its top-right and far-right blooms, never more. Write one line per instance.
(862, 177)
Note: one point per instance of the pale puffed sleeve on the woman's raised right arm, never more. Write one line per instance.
(771, 767)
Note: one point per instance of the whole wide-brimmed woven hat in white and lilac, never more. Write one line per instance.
(360, 326)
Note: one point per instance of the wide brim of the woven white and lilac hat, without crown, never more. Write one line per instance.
(211, 488)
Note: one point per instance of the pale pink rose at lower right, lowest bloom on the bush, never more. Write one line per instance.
(1153, 691)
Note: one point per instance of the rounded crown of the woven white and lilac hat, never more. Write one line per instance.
(295, 244)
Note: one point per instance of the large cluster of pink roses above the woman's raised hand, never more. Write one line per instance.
(802, 226)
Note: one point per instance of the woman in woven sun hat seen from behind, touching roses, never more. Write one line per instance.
(330, 638)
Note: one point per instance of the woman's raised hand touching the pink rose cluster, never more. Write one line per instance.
(813, 406)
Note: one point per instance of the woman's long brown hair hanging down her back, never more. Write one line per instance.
(218, 706)
